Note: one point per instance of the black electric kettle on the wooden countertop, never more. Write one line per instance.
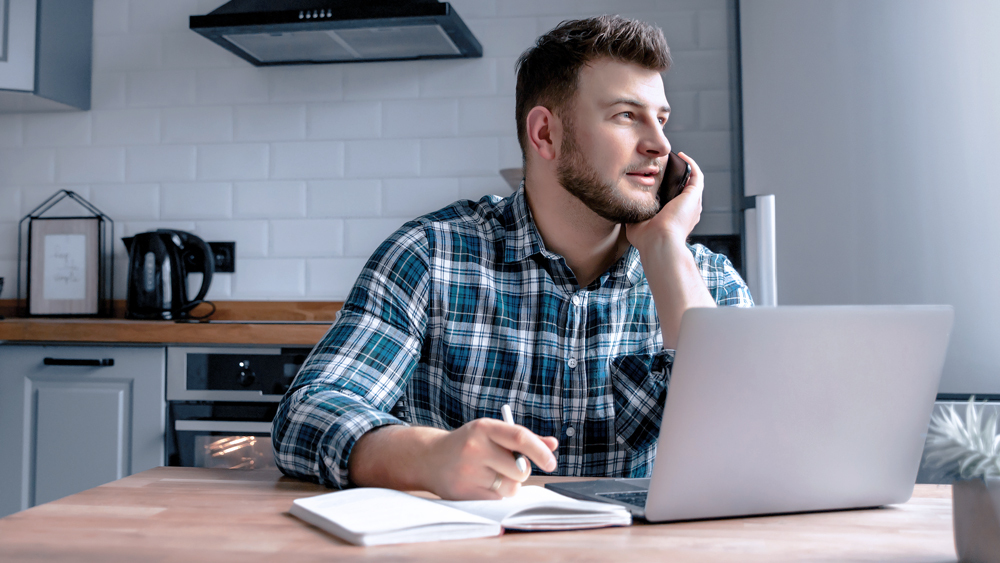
(158, 266)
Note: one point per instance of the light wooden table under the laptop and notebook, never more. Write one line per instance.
(187, 515)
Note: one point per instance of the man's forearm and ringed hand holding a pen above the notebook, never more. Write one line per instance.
(462, 464)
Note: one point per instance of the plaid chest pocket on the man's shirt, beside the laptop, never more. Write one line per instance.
(639, 386)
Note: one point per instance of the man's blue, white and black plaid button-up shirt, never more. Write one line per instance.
(463, 310)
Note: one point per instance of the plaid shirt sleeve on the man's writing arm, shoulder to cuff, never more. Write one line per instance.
(357, 373)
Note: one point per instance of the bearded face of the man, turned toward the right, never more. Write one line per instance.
(613, 150)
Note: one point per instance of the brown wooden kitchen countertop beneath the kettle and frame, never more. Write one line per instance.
(275, 322)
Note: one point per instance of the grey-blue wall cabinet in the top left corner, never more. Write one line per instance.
(45, 54)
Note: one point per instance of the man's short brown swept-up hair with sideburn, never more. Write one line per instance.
(548, 72)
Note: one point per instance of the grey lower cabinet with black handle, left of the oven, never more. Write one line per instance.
(74, 417)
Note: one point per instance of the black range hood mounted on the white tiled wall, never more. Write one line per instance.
(286, 32)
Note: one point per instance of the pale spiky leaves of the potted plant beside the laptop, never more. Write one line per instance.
(968, 449)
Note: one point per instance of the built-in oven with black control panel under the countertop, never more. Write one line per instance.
(221, 401)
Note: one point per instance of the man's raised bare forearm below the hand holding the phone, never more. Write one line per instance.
(676, 285)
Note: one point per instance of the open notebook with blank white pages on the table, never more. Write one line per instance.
(372, 516)
